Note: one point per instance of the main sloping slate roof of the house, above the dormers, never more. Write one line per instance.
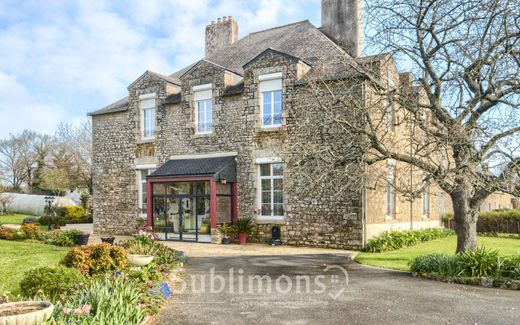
(301, 40)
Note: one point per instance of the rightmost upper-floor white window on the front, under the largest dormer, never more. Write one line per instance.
(271, 99)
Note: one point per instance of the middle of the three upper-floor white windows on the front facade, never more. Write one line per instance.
(203, 109)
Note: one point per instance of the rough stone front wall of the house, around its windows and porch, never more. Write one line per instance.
(320, 221)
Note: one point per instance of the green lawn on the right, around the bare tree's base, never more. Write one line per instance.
(398, 259)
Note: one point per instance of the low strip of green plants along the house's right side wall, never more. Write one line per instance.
(391, 240)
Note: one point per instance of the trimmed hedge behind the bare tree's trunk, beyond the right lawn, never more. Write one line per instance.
(492, 222)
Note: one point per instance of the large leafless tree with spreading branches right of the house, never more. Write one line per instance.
(457, 124)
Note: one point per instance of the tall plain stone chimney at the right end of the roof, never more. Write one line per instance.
(341, 21)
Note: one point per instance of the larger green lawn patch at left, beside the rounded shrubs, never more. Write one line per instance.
(18, 257)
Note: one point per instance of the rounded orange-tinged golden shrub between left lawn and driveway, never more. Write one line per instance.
(97, 259)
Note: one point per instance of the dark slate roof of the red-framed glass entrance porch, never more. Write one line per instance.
(220, 168)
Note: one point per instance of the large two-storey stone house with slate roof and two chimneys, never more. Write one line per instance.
(193, 149)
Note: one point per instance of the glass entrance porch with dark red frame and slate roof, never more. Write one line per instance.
(188, 198)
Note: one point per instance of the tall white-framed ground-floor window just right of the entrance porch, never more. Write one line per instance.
(270, 190)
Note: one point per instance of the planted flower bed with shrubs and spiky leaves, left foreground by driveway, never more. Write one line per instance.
(95, 285)
